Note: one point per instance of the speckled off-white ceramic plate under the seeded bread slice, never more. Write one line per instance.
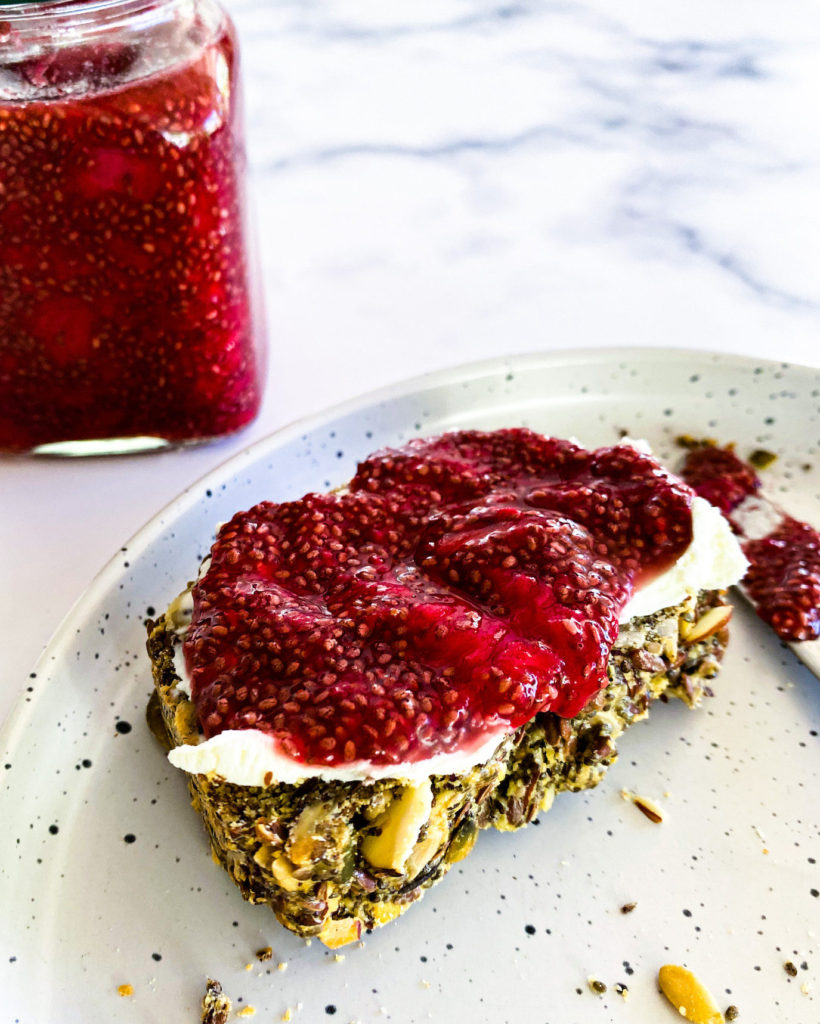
(106, 878)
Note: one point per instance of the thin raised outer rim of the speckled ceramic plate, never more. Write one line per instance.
(25, 705)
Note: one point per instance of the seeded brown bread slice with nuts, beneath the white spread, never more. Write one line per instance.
(334, 859)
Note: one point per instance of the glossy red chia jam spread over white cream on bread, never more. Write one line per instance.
(460, 586)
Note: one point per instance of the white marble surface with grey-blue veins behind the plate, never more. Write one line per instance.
(440, 182)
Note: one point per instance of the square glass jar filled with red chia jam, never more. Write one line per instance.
(130, 317)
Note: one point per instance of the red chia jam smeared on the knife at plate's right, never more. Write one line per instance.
(784, 579)
